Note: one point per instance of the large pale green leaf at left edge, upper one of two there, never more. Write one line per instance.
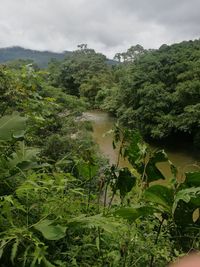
(12, 126)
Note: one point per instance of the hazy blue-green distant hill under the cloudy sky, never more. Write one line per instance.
(41, 58)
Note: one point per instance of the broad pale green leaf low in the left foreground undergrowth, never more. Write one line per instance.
(50, 231)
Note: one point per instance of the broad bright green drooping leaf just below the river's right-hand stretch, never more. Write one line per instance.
(161, 196)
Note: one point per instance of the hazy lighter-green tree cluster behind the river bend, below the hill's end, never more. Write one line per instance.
(84, 73)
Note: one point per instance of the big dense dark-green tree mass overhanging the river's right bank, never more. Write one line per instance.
(160, 91)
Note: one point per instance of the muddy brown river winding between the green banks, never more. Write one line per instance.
(182, 155)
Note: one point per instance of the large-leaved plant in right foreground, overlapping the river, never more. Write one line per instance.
(175, 203)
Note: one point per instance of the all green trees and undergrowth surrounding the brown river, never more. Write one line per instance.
(62, 203)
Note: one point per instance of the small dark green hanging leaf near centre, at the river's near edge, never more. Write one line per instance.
(125, 181)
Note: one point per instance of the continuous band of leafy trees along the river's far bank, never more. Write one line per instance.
(155, 91)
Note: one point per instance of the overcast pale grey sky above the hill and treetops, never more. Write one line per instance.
(108, 26)
